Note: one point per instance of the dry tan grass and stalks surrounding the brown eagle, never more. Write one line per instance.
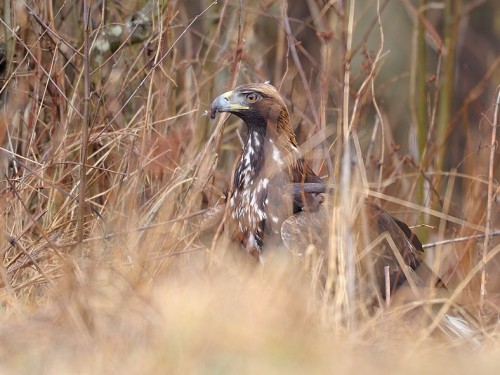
(103, 267)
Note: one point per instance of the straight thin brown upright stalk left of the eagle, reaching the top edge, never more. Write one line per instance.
(86, 120)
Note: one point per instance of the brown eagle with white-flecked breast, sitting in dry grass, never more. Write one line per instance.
(260, 207)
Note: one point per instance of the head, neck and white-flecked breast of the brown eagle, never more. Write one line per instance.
(269, 162)
